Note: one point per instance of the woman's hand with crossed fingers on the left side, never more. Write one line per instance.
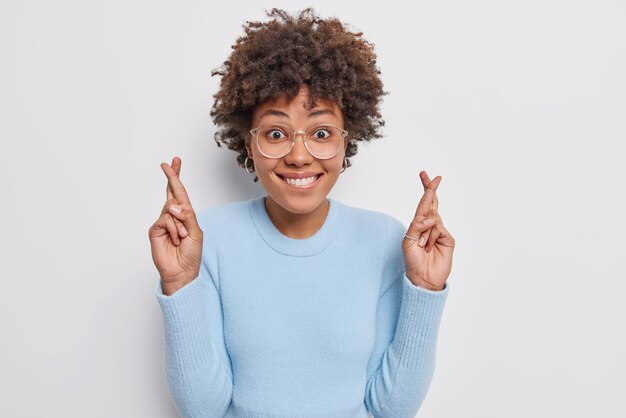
(176, 238)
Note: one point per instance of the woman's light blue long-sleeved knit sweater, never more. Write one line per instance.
(327, 326)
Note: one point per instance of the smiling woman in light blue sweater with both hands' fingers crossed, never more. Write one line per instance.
(295, 304)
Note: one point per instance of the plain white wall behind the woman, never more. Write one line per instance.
(519, 105)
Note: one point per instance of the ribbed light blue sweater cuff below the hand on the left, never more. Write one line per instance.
(184, 321)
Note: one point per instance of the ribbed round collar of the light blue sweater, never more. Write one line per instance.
(292, 246)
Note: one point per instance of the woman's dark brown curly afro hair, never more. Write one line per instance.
(273, 58)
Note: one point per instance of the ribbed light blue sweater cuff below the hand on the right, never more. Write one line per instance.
(415, 341)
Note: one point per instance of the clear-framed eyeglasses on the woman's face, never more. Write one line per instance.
(275, 140)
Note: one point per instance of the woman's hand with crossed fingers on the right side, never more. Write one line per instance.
(428, 251)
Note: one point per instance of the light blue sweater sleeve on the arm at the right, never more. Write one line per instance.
(402, 362)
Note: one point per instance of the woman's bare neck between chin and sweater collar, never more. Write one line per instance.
(296, 225)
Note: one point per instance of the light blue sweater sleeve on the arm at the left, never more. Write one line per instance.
(196, 363)
